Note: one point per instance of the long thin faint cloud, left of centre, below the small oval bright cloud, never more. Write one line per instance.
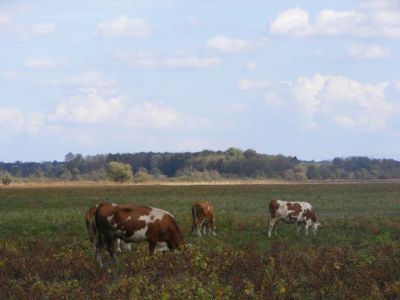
(149, 60)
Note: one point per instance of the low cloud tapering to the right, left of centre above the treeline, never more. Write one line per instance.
(155, 116)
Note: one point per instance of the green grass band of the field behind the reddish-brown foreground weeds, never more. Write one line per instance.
(241, 209)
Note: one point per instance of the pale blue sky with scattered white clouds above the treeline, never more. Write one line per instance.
(312, 79)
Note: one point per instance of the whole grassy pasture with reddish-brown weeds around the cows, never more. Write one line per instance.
(45, 252)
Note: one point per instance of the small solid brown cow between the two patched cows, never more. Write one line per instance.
(203, 215)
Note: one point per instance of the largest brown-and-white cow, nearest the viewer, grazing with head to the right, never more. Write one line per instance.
(134, 224)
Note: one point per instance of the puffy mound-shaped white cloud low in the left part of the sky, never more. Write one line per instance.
(89, 108)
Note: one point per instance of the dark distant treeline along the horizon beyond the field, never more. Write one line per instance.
(232, 163)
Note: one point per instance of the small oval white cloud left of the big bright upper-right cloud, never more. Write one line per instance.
(229, 45)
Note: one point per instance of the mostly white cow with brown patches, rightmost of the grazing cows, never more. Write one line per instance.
(292, 212)
